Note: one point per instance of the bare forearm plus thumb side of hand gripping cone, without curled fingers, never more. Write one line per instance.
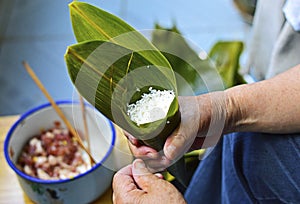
(270, 106)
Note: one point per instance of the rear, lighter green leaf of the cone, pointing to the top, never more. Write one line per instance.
(92, 23)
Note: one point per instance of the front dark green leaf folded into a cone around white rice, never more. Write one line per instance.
(110, 76)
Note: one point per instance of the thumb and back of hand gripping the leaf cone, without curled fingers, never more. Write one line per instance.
(203, 119)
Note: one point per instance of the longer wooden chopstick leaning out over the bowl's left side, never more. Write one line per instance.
(57, 109)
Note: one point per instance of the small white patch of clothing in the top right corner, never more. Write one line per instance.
(291, 10)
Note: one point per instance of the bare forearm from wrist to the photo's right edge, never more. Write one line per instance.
(271, 106)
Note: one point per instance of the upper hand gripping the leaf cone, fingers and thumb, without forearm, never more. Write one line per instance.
(198, 114)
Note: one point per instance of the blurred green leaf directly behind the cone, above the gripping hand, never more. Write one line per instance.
(194, 75)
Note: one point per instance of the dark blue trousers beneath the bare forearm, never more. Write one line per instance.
(249, 168)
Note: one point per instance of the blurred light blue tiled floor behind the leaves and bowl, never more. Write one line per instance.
(40, 31)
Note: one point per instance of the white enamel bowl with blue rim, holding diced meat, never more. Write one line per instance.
(85, 187)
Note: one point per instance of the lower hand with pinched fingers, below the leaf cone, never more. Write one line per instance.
(135, 184)
